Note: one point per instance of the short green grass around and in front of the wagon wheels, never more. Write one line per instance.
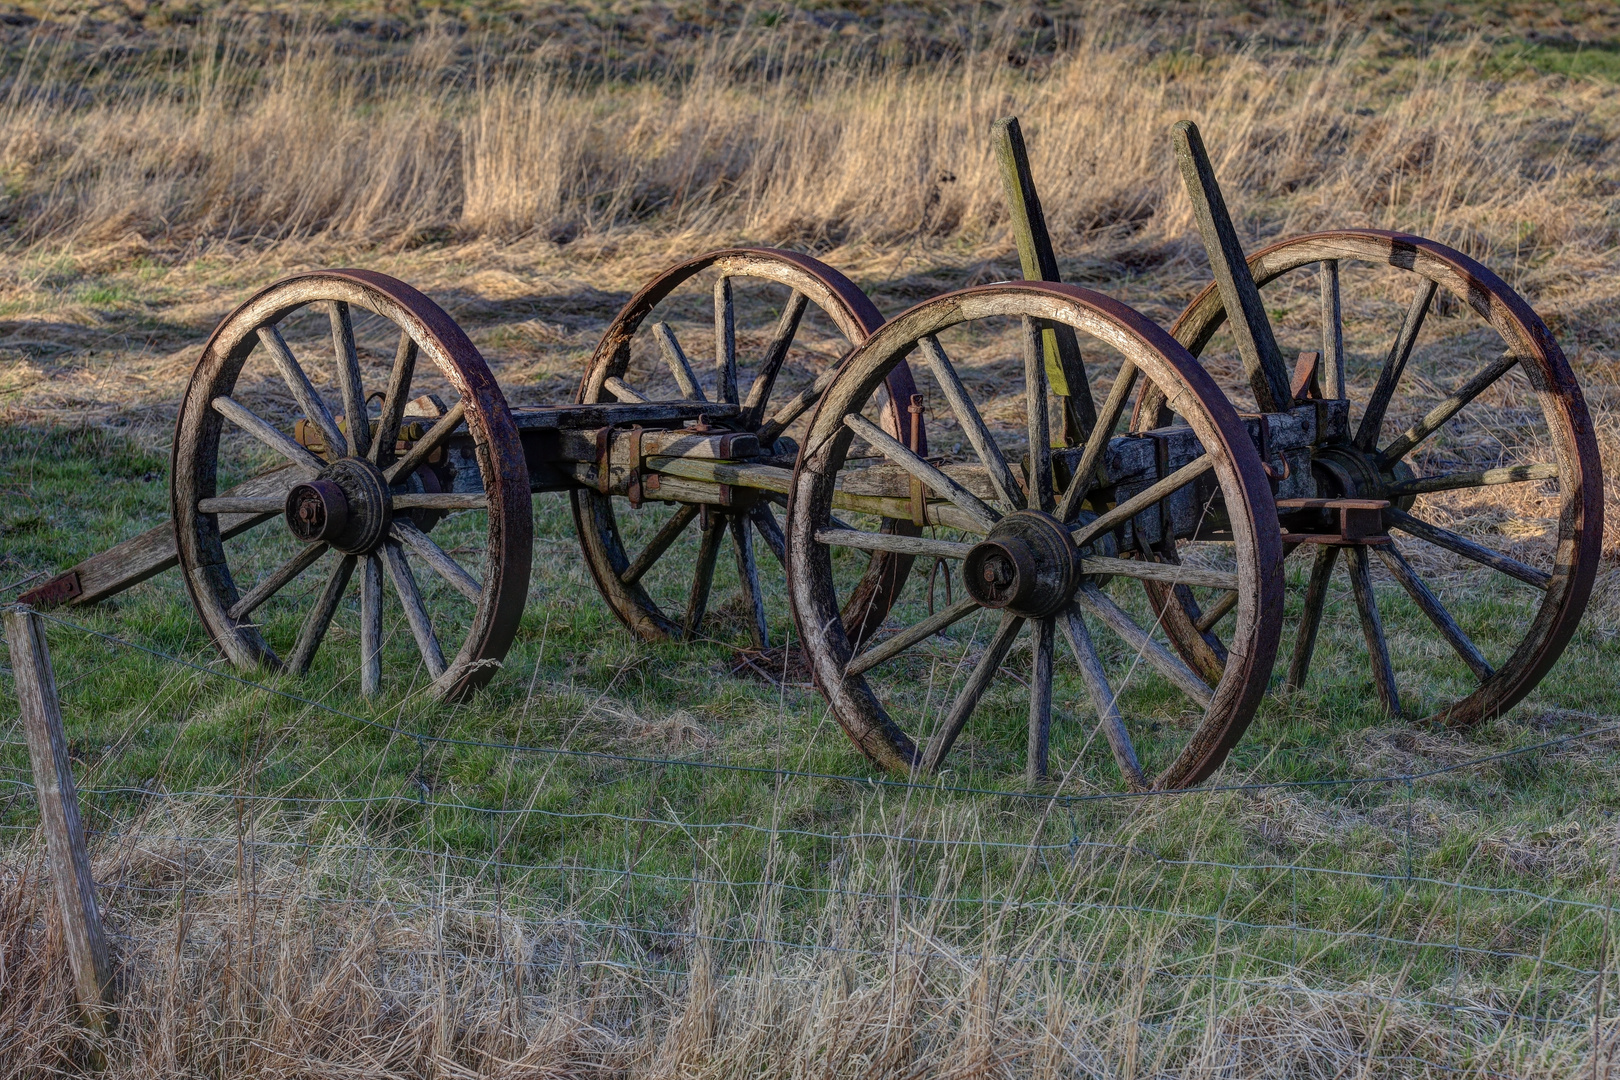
(620, 841)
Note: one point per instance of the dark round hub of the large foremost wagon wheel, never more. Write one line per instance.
(1028, 564)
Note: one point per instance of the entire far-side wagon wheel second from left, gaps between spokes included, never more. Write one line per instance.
(809, 318)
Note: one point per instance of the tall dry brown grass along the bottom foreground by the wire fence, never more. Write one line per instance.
(302, 961)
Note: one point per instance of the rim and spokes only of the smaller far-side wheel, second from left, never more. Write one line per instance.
(597, 516)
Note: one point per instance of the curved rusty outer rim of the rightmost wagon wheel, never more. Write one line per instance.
(1580, 521)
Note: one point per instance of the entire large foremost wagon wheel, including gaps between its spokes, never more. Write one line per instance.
(1034, 546)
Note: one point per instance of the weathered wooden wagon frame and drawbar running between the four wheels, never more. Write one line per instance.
(684, 453)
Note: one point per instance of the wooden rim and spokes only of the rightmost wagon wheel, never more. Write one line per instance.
(1577, 553)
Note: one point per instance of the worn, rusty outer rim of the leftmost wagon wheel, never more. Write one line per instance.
(498, 449)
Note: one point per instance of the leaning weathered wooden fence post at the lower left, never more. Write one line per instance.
(59, 812)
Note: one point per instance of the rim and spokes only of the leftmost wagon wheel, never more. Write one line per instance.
(427, 333)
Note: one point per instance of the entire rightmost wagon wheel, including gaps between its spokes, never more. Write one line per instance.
(1423, 444)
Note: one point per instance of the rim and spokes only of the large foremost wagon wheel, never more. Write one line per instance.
(846, 676)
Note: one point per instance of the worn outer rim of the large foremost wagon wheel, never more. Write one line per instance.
(1161, 360)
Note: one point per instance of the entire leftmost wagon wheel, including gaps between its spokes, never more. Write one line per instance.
(286, 378)
